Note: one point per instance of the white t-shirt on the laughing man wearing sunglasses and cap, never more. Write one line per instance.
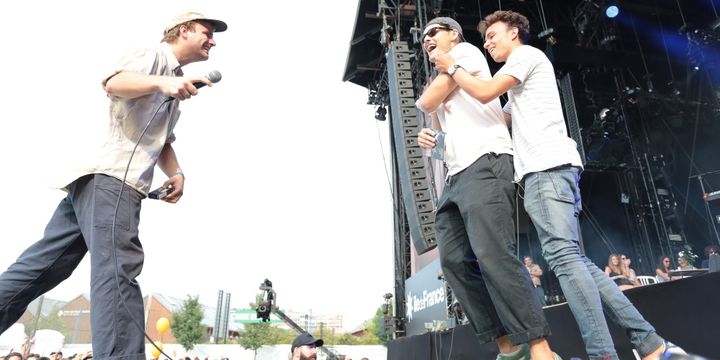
(472, 128)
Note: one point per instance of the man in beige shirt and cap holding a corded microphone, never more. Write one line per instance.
(101, 211)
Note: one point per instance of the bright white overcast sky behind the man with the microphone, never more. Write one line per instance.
(286, 167)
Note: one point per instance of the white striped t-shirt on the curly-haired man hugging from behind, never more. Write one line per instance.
(540, 136)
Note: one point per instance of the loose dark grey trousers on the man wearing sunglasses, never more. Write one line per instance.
(475, 230)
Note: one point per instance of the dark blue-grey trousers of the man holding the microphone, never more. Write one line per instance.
(82, 223)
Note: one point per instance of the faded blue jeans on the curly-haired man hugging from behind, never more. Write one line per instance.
(552, 201)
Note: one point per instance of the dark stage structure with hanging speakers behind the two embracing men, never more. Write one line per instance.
(641, 96)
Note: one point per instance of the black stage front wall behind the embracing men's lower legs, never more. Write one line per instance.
(685, 312)
